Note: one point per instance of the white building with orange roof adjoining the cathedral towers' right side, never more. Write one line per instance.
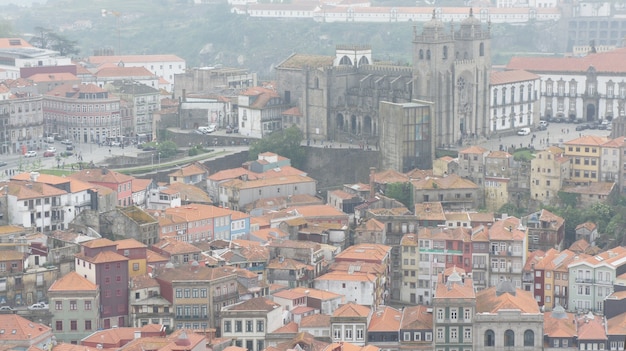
(514, 102)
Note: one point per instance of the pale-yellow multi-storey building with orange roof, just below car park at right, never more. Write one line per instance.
(584, 155)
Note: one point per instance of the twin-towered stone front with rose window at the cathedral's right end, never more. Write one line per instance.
(451, 69)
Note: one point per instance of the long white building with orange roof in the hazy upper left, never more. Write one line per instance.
(164, 66)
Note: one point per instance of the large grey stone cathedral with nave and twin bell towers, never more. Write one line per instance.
(339, 98)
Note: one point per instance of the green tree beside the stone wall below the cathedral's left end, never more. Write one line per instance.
(286, 142)
